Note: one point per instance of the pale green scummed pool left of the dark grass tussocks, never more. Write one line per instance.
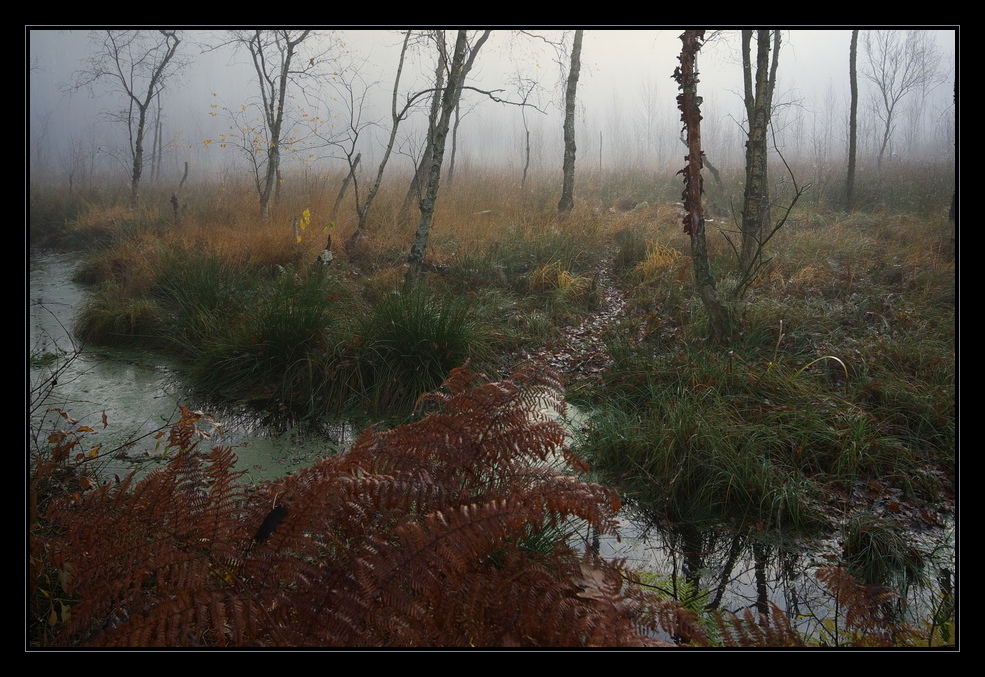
(139, 394)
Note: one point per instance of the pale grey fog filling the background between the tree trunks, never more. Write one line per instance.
(626, 117)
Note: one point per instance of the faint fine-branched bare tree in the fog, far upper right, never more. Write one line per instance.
(896, 65)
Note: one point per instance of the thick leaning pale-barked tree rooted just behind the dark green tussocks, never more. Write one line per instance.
(461, 61)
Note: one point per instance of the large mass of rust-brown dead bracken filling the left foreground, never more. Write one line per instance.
(418, 536)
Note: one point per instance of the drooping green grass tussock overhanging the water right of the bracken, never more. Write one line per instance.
(696, 456)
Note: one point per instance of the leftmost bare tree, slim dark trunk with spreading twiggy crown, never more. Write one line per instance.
(137, 64)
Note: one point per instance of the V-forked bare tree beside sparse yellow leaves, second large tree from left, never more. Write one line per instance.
(280, 61)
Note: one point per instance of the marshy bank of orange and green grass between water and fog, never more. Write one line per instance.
(831, 410)
